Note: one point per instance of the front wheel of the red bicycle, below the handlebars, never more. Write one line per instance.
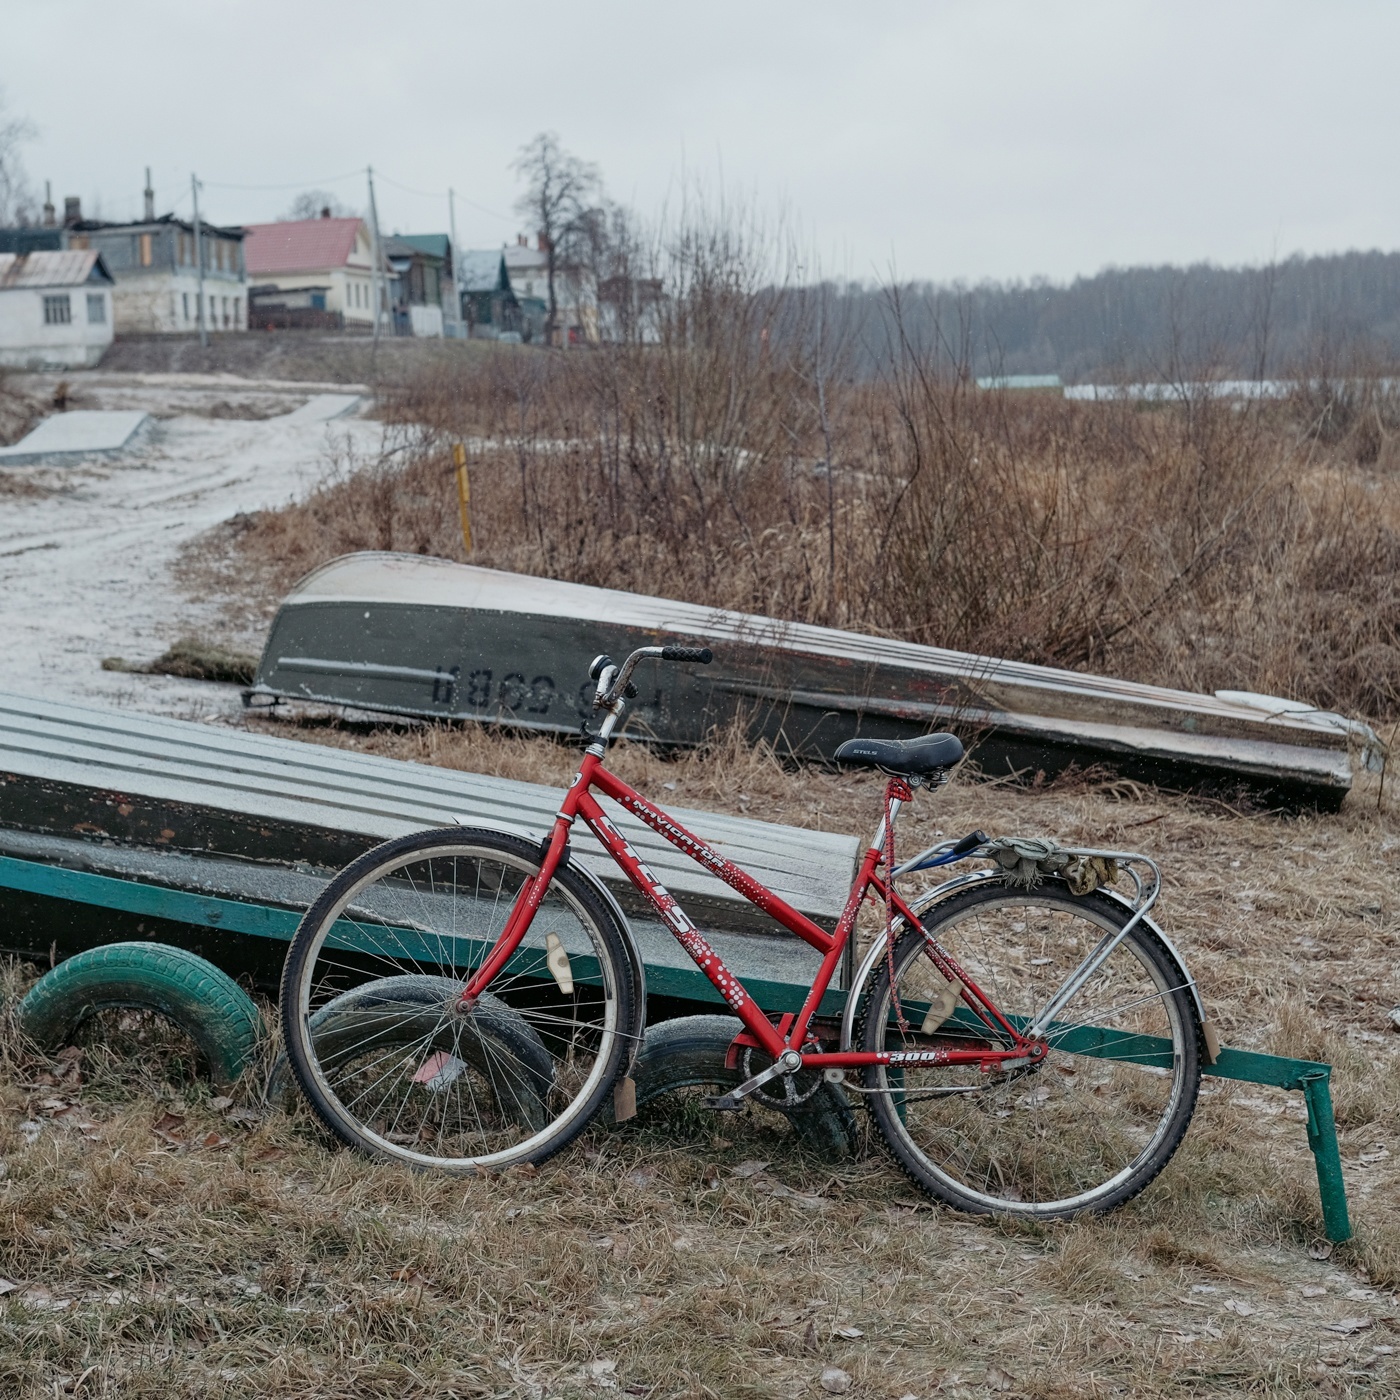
(390, 1056)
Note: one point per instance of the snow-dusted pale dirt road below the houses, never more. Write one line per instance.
(87, 551)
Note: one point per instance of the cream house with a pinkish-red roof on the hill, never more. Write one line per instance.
(324, 265)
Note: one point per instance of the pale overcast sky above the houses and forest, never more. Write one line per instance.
(936, 141)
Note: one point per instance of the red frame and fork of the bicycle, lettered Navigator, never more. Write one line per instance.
(793, 1031)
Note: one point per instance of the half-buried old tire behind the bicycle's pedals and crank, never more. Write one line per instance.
(689, 1053)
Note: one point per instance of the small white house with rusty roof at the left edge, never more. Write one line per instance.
(55, 310)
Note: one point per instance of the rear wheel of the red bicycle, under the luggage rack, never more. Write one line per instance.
(1084, 1129)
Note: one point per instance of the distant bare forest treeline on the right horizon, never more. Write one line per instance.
(1304, 314)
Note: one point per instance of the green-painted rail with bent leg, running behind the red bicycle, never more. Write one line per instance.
(216, 926)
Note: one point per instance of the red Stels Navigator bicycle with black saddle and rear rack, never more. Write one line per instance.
(1027, 1039)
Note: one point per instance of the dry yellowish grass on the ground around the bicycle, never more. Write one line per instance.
(250, 1259)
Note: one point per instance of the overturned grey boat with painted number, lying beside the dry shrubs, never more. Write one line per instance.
(407, 635)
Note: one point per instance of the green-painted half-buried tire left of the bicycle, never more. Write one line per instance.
(218, 1016)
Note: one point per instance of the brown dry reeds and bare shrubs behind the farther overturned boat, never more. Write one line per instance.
(736, 461)
